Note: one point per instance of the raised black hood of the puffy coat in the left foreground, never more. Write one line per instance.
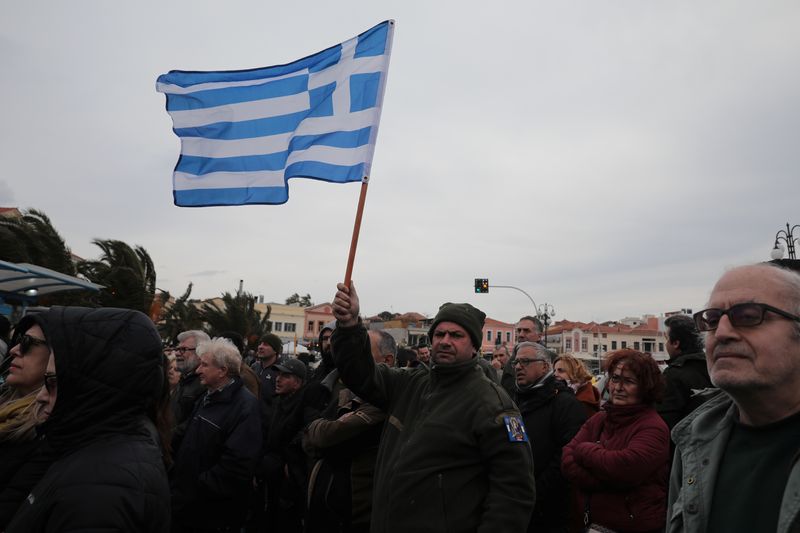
(110, 369)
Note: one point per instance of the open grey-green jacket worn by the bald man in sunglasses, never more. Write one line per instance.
(700, 441)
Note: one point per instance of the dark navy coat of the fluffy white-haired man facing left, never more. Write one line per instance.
(213, 474)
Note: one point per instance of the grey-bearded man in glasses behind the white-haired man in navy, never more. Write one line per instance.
(189, 387)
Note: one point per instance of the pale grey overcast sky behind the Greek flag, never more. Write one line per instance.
(610, 158)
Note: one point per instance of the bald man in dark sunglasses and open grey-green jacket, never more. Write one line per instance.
(735, 466)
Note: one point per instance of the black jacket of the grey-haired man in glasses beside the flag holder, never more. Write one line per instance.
(552, 416)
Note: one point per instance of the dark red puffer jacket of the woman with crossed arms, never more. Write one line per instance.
(619, 459)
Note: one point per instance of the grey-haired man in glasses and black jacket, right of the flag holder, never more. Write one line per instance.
(552, 416)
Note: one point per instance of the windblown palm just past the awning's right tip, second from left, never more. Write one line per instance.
(128, 275)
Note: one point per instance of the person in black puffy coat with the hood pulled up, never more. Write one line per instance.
(109, 473)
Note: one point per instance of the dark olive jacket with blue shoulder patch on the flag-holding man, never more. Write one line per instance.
(446, 461)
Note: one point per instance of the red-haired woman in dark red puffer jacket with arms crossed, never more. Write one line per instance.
(619, 459)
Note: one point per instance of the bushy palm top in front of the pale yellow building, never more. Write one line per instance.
(237, 313)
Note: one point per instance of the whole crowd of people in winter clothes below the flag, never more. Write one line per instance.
(102, 428)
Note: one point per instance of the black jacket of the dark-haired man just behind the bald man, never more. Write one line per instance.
(684, 375)
